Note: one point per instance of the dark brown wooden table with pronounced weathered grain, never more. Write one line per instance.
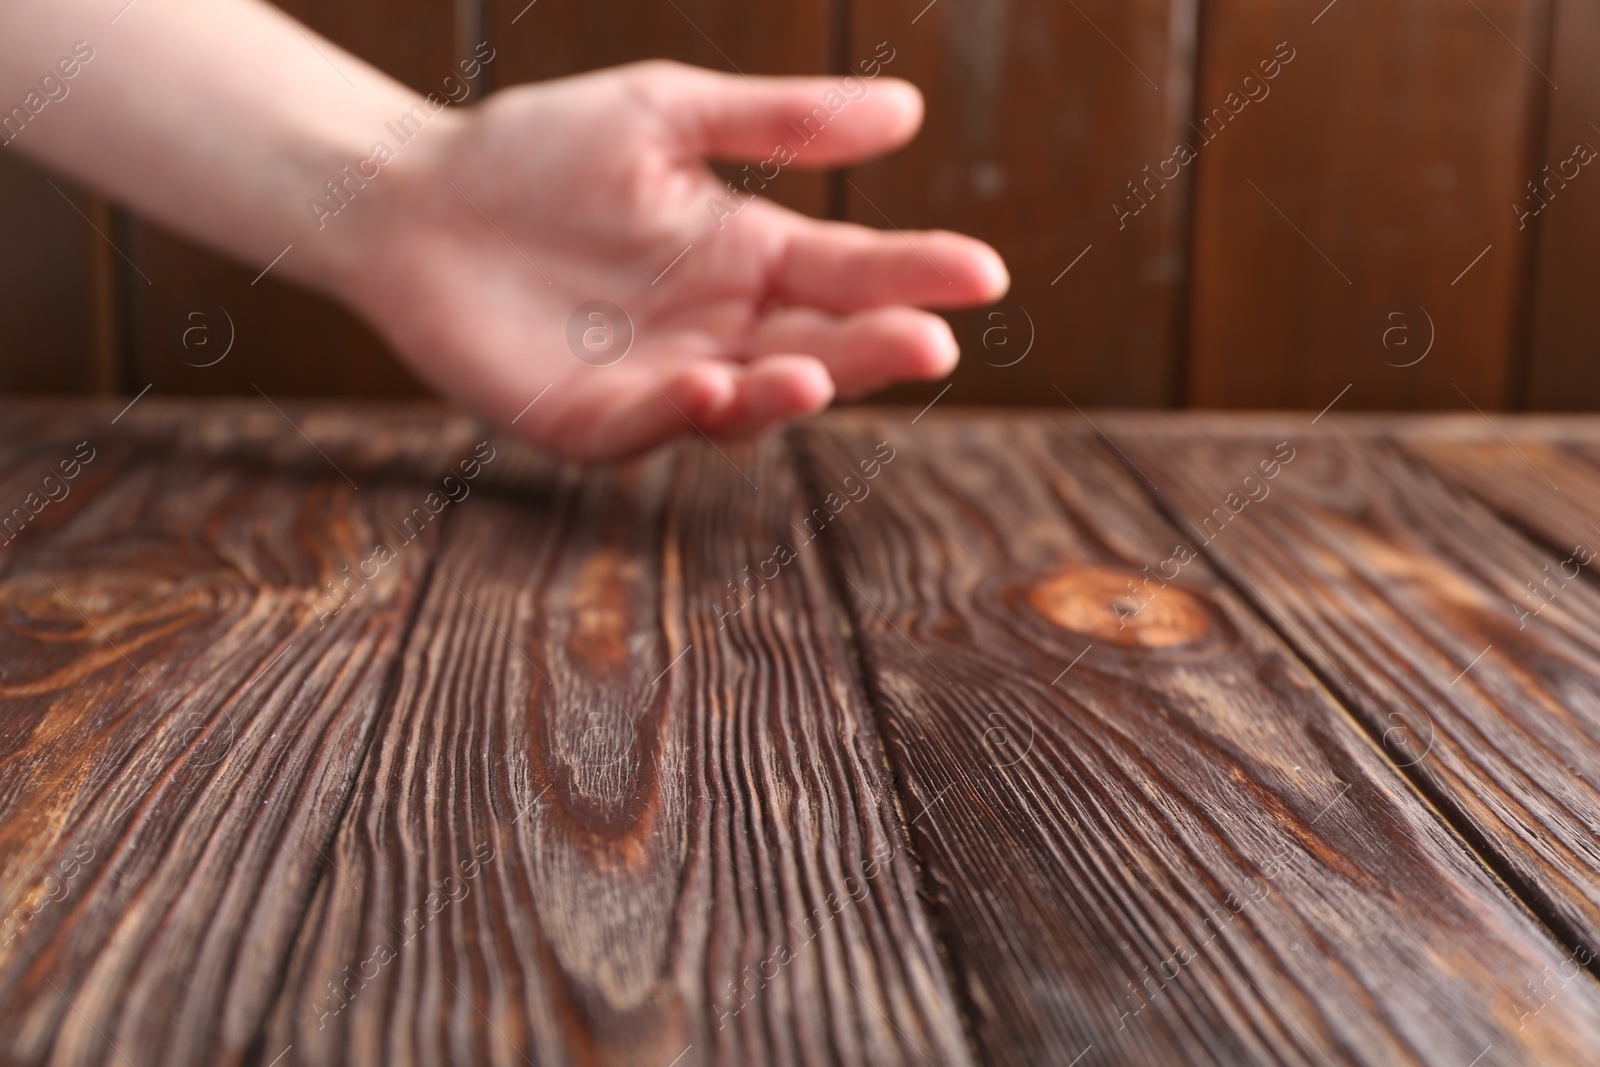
(369, 737)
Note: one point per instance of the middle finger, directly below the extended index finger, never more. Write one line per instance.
(865, 351)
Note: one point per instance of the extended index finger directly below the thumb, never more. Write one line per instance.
(841, 266)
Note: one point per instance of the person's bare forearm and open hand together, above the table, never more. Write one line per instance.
(476, 244)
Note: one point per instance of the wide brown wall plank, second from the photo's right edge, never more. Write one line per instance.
(1359, 191)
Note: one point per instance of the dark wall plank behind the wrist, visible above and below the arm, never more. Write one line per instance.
(286, 340)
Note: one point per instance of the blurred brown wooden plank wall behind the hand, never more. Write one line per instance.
(1353, 222)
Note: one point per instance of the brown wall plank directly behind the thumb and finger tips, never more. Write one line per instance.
(1042, 121)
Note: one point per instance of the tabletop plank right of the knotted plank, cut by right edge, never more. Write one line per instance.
(1434, 621)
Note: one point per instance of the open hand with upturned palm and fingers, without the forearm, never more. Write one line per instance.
(561, 244)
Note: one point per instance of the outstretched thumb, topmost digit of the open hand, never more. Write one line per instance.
(804, 122)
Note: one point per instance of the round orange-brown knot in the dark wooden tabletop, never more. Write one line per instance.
(1121, 607)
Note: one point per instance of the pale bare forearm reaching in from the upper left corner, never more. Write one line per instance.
(220, 119)
